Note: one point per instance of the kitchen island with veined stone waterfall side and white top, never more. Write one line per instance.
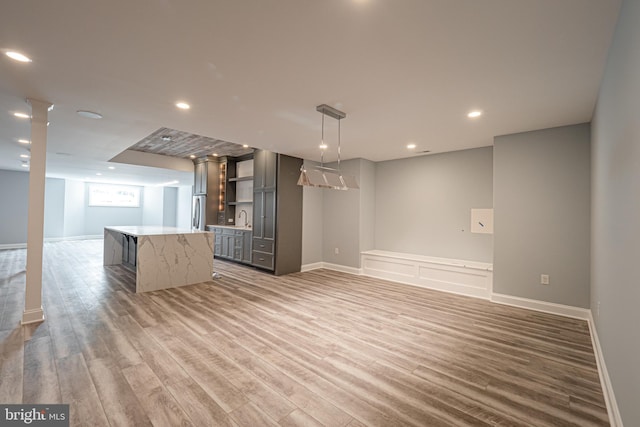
(162, 257)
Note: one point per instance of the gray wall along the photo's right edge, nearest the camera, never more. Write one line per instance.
(615, 281)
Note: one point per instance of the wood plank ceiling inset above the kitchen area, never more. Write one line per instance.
(175, 143)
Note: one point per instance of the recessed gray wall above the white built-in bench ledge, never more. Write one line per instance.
(423, 204)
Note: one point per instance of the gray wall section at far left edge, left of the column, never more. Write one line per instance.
(14, 194)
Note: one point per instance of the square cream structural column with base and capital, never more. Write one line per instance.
(35, 221)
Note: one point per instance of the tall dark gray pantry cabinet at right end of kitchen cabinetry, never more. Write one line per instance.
(277, 213)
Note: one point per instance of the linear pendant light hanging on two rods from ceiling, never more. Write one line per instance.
(321, 176)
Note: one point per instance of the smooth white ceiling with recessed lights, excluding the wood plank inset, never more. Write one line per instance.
(253, 71)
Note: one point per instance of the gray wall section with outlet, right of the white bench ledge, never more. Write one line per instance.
(542, 214)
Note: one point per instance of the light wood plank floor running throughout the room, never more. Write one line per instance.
(309, 349)
